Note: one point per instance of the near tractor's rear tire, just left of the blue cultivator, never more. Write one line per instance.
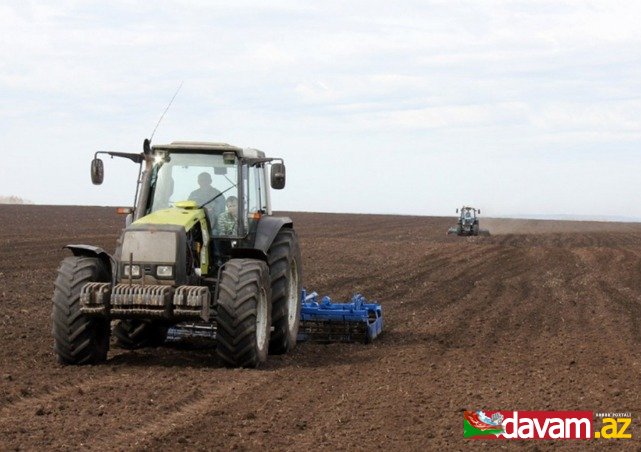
(285, 271)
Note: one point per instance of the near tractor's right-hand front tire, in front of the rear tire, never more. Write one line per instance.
(244, 313)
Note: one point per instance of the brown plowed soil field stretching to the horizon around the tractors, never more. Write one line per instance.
(542, 315)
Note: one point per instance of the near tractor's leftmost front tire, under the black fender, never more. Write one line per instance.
(78, 338)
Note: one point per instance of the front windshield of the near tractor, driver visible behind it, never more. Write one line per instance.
(204, 178)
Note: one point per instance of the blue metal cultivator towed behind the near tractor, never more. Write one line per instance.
(356, 321)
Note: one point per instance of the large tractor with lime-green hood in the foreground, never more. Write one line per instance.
(200, 248)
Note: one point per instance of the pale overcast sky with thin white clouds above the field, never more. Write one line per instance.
(411, 107)
